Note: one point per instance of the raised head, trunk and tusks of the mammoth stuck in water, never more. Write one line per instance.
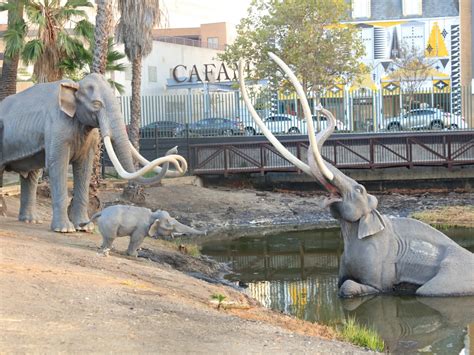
(348, 200)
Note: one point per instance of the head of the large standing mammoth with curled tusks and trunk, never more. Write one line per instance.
(93, 103)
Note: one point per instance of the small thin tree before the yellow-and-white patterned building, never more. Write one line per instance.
(412, 69)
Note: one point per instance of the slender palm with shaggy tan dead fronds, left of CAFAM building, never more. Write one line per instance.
(137, 19)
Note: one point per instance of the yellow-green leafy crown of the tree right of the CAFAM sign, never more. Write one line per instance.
(306, 34)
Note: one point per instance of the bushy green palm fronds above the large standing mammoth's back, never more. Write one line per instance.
(54, 52)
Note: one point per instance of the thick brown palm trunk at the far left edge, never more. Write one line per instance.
(14, 38)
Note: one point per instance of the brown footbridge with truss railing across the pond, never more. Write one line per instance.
(254, 154)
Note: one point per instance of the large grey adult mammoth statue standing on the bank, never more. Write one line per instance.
(54, 124)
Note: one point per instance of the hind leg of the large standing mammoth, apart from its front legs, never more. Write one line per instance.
(29, 185)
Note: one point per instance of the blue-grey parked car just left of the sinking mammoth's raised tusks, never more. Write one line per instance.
(213, 127)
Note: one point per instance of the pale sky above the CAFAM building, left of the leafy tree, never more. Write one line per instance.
(192, 13)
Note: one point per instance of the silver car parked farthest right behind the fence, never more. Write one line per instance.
(424, 118)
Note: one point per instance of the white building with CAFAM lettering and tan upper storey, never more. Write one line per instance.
(184, 59)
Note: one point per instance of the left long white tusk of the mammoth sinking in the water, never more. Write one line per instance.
(279, 147)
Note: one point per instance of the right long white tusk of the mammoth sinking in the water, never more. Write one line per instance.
(307, 114)
